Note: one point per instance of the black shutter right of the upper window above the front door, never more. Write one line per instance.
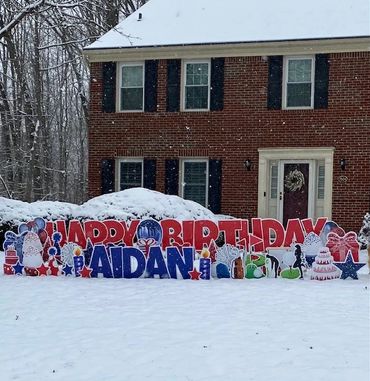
(321, 80)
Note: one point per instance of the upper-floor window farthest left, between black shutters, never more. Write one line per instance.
(132, 87)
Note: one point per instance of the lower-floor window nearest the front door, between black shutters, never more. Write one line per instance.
(194, 180)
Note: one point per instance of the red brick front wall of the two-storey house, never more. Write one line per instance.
(245, 125)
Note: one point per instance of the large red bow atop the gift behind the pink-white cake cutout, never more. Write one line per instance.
(339, 246)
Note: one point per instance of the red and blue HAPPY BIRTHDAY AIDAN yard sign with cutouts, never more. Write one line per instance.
(192, 249)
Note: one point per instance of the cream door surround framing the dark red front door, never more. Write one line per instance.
(267, 155)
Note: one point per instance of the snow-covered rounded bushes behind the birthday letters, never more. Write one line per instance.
(124, 205)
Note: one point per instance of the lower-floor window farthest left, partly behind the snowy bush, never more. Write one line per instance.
(130, 173)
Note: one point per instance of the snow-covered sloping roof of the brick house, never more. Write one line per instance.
(185, 22)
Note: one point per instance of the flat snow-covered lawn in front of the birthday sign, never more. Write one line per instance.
(175, 330)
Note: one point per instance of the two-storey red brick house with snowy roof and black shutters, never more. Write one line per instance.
(269, 119)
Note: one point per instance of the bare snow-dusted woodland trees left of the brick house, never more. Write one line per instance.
(44, 93)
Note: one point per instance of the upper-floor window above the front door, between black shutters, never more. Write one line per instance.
(298, 82)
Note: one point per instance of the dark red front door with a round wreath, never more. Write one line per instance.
(294, 190)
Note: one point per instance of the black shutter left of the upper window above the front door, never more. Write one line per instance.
(274, 90)
